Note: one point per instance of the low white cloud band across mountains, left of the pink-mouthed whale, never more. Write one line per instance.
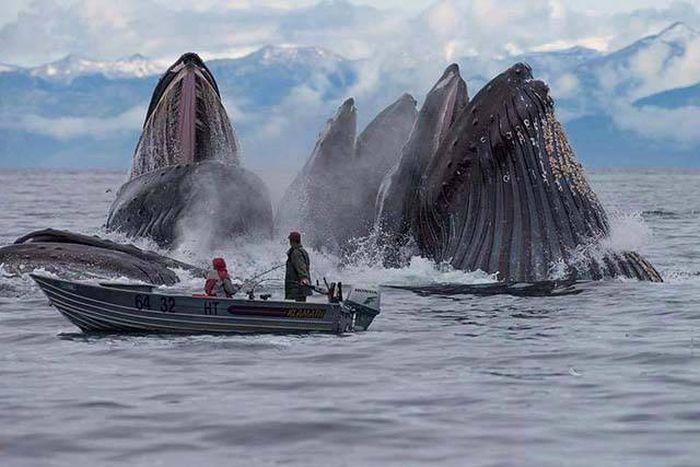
(65, 128)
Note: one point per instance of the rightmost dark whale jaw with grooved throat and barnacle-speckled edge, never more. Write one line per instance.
(505, 193)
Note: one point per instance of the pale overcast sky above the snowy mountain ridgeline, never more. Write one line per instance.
(37, 31)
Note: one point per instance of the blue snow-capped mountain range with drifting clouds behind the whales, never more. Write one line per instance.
(635, 107)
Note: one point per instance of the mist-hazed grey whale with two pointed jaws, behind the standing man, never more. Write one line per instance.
(332, 199)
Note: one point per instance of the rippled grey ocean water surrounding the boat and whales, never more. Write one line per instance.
(607, 377)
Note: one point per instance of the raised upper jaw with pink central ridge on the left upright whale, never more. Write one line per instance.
(186, 121)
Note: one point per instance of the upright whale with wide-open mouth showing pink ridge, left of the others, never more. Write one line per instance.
(186, 173)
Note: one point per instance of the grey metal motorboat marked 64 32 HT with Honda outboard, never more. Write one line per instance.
(123, 308)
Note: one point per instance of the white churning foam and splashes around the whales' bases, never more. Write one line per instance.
(249, 257)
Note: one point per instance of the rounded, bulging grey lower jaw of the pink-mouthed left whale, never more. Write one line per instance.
(228, 200)
